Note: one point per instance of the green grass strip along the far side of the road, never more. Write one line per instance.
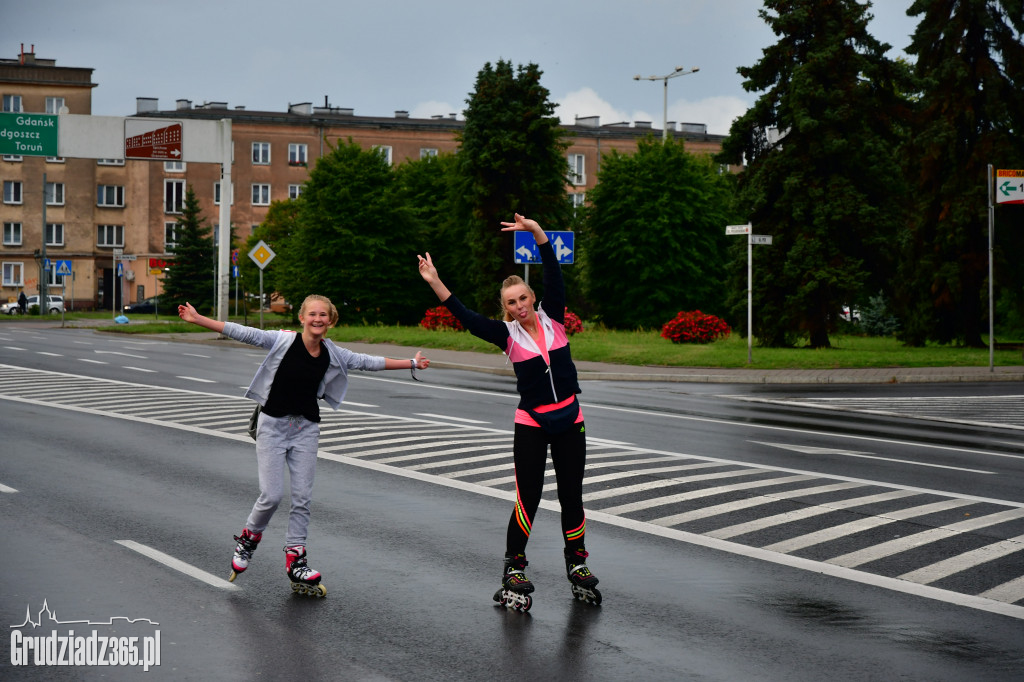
(642, 348)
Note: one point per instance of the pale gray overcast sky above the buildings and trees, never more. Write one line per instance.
(377, 57)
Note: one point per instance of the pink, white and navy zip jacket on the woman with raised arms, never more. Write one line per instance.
(540, 381)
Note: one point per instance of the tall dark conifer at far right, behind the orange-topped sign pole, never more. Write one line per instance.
(970, 64)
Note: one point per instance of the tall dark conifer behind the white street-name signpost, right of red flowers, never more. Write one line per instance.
(823, 178)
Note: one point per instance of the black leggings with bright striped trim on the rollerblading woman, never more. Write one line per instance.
(569, 454)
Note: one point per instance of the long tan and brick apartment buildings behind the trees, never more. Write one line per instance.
(97, 209)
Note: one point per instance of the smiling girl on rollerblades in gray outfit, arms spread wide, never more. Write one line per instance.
(298, 370)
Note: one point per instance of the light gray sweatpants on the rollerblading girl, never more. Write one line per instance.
(290, 442)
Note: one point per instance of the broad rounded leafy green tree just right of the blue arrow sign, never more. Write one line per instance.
(654, 243)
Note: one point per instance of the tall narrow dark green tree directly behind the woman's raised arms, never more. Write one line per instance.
(511, 159)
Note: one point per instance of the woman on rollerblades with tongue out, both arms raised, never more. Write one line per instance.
(548, 415)
